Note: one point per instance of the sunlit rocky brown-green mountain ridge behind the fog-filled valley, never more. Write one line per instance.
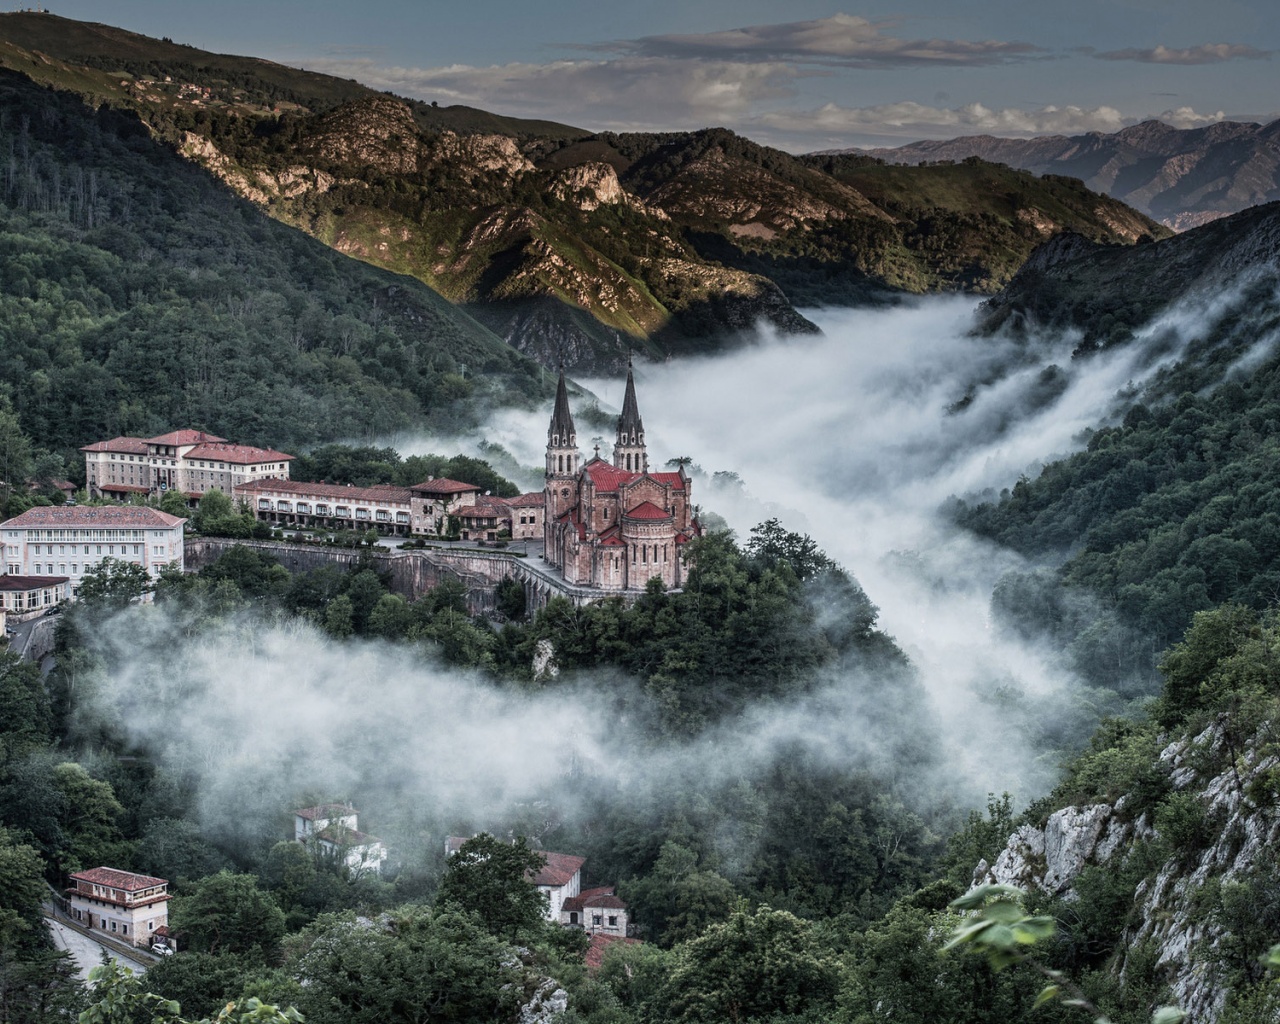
(572, 246)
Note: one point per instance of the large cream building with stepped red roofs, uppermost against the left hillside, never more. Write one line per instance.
(190, 461)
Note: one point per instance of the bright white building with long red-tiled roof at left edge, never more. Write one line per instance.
(70, 541)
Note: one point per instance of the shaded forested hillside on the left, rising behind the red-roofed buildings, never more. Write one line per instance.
(138, 294)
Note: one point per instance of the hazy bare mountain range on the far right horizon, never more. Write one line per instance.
(1182, 177)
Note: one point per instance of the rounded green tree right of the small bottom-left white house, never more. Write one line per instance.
(228, 913)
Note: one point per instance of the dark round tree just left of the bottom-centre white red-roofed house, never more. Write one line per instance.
(491, 880)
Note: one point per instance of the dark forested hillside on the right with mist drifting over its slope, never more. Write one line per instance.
(1176, 509)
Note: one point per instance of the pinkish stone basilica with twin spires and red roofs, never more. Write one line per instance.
(618, 525)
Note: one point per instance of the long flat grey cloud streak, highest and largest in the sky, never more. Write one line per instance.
(843, 39)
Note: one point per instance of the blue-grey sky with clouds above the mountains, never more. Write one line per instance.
(799, 75)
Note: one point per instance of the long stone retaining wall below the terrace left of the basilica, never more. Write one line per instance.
(414, 573)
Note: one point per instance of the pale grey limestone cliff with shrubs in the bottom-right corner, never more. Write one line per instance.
(1218, 829)
